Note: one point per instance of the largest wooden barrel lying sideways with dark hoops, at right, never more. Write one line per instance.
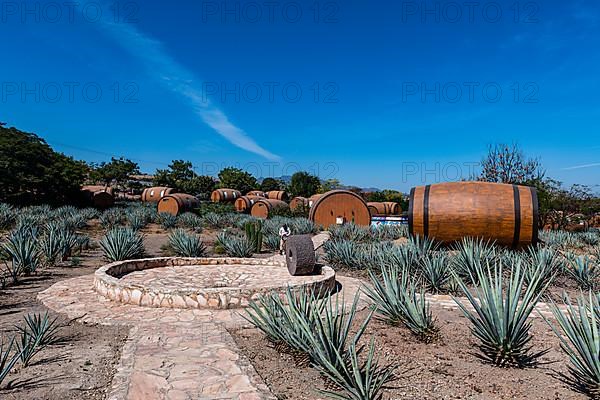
(447, 212)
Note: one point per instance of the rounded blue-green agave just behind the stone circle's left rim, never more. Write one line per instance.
(122, 243)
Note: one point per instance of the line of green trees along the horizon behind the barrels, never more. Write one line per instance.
(33, 173)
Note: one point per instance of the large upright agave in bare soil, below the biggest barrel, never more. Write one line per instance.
(500, 320)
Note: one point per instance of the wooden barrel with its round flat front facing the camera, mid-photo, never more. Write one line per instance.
(339, 207)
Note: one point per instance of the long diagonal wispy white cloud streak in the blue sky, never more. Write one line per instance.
(162, 67)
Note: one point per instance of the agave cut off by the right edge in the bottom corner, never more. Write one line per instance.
(580, 340)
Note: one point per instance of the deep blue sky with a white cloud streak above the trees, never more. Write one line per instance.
(385, 94)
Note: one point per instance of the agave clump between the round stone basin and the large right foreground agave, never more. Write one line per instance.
(396, 300)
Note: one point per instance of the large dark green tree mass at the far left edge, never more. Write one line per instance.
(33, 173)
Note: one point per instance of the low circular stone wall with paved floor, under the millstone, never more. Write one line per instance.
(175, 282)
